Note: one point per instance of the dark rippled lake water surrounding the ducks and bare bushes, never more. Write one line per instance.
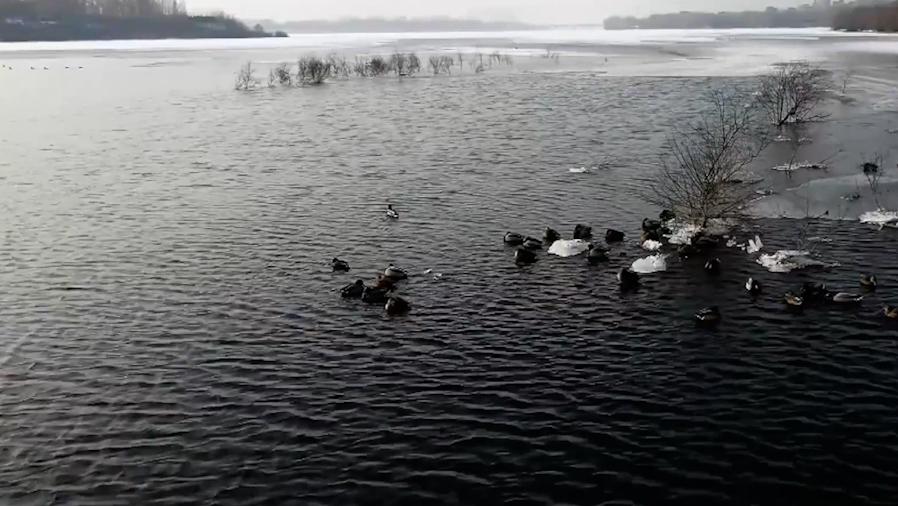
(171, 333)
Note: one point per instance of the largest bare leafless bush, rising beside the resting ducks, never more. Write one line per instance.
(700, 177)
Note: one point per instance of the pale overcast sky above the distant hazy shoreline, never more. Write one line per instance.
(538, 11)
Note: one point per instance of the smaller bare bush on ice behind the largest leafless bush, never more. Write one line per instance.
(793, 93)
